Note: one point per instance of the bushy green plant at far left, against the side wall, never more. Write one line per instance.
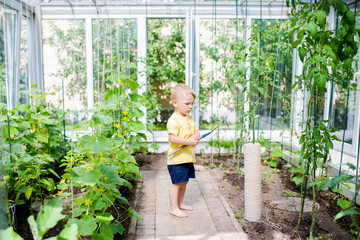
(33, 144)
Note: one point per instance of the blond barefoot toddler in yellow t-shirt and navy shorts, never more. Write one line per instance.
(182, 131)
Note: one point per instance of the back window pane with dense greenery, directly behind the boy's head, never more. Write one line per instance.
(166, 64)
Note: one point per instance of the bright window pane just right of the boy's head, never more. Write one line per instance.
(218, 94)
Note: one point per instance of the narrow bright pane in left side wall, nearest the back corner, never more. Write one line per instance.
(24, 60)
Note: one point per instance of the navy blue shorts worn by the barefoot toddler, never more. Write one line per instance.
(181, 172)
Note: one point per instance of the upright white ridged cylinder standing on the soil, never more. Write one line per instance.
(252, 169)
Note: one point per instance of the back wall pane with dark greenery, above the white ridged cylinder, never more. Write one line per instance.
(274, 59)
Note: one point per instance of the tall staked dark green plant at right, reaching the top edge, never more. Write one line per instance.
(318, 48)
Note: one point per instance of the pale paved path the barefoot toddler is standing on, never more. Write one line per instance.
(211, 218)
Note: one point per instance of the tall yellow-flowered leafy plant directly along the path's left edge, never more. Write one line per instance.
(101, 164)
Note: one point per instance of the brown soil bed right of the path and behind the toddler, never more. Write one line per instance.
(276, 223)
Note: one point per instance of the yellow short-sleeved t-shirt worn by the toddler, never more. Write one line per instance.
(183, 127)
